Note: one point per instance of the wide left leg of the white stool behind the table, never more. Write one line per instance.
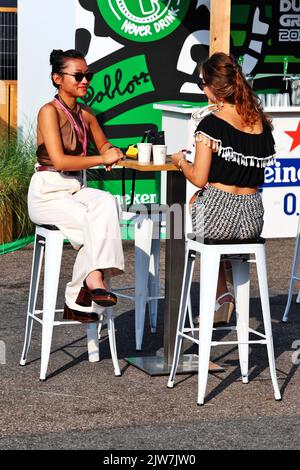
(143, 241)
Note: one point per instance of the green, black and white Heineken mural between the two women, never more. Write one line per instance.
(142, 52)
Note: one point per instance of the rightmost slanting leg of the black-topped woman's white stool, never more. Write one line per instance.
(264, 296)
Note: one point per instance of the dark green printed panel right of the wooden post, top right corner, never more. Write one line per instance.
(266, 33)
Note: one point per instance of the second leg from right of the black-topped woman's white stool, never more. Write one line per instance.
(240, 271)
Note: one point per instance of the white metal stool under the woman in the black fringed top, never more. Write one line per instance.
(211, 252)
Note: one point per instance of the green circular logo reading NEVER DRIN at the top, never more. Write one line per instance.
(143, 20)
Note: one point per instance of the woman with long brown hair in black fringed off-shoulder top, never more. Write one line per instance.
(234, 144)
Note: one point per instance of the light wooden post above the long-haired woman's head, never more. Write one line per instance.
(220, 26)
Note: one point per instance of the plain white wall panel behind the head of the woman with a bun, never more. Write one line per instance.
(42, 26)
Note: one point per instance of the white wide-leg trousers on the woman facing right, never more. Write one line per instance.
(89, 219)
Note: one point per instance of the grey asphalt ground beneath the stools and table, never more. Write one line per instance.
(83, 405)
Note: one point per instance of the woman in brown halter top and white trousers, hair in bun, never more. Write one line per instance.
(88, 218)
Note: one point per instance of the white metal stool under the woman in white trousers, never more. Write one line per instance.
(49, 239)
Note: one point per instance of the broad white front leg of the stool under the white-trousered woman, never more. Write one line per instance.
(53, 254)
